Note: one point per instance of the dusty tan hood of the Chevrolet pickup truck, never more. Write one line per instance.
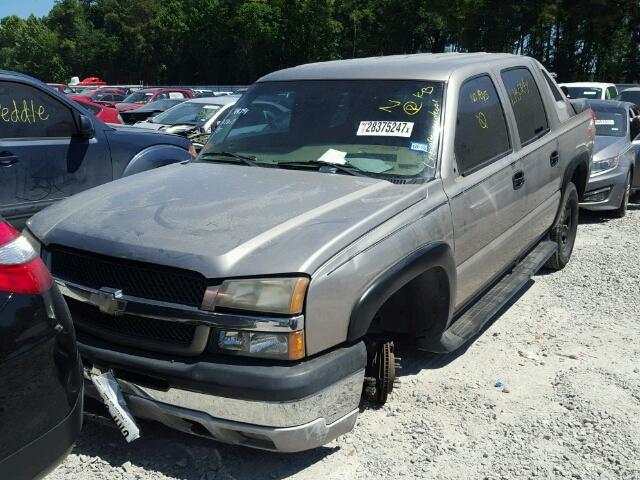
(225, 220)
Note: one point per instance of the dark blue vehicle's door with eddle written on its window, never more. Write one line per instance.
(41, 158)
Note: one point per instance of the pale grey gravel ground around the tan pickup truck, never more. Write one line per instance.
(566, 351)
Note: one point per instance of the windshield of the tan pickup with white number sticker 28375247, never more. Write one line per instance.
(379, 127)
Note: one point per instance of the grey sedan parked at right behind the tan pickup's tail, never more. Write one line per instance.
(615, 173)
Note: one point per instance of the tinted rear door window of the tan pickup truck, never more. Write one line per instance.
(526, 102)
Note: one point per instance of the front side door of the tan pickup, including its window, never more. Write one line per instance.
(487, 197)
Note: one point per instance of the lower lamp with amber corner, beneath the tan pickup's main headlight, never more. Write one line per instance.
(278, 345)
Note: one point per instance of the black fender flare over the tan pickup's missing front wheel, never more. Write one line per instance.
(432, 255)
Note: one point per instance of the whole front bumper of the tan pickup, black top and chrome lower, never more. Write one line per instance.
(304, 406)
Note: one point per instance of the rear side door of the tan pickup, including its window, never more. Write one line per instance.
(539, 152)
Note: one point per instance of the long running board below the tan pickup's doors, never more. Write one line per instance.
(471, 322)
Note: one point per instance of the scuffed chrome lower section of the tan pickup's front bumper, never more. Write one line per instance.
(283, 427)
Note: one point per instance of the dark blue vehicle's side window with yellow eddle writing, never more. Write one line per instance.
(26, 112)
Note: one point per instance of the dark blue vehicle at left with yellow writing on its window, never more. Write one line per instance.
(52, 147)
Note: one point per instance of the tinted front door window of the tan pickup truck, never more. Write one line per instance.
(481, 128)
